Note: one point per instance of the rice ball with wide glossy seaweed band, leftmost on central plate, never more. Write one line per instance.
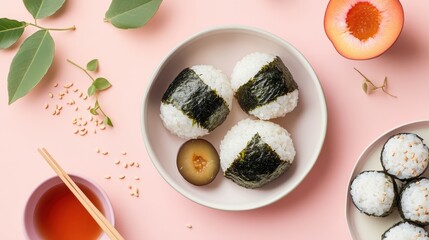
(197, 101)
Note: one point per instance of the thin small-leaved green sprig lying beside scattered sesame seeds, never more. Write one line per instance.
(98, 85)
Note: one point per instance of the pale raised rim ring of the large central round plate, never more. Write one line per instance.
(222, 29)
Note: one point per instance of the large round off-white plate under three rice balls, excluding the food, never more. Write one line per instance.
(223, 47)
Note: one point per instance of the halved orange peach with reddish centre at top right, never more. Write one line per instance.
(363, 29)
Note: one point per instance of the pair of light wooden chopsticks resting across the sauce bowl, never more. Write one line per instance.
(107, 227)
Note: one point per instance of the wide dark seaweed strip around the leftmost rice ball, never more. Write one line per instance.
(200, 103)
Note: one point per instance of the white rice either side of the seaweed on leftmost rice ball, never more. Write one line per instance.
(179, 123)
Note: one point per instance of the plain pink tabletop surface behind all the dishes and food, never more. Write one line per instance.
(314, 210)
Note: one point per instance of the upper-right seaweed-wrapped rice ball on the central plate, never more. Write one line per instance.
(264, 86)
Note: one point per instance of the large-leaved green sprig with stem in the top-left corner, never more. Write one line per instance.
(35, 55)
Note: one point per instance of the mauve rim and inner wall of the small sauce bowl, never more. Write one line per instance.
(54, 181)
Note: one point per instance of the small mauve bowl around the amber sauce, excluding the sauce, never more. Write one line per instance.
(29, 225)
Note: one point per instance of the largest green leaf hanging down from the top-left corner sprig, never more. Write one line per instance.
(30, 64)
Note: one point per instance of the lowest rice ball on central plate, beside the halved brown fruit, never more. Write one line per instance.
(255, 152)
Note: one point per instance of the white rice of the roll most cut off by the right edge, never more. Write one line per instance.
(414, 202)
